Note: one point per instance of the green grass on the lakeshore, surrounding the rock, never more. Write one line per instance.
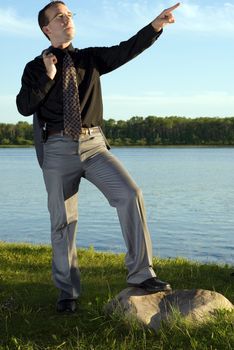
(28, 319)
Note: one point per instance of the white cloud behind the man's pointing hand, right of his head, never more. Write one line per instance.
(193, 16)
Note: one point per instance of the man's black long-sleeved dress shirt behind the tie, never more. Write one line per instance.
(43, 96)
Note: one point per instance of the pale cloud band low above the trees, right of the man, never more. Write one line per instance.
(211, 104)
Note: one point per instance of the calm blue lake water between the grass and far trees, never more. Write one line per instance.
(188, 192)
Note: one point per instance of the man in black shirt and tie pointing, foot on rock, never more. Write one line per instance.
(68, 107)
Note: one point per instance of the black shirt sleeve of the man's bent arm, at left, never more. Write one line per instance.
(35, 86)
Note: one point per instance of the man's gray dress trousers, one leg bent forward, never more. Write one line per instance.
(65, 162)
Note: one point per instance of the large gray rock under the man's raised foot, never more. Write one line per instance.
(196, 305)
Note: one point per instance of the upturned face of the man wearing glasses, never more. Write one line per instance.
(61, 28)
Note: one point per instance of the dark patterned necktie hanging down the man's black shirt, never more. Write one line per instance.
(71, 102)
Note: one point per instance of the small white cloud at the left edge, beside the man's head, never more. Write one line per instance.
(11, 23)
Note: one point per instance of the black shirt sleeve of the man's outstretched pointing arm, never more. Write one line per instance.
(110, 58)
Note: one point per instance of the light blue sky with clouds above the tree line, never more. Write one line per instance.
(188, 72)
